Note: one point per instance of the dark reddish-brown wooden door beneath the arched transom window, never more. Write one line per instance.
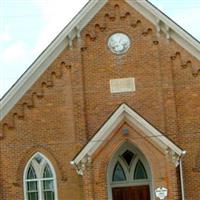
(131, 193)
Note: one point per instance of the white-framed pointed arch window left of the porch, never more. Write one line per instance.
(39, 179)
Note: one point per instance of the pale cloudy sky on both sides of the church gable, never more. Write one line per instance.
(28, 26)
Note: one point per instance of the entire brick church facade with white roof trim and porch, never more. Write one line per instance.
(109, 111)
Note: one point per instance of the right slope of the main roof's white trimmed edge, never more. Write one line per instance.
(167, 25)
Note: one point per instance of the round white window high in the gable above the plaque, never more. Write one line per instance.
(119, 43)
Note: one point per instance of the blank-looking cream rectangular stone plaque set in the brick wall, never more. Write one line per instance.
(122, 85)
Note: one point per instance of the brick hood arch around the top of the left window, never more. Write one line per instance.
(61, 176)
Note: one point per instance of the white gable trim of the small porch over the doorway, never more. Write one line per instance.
(125, 112)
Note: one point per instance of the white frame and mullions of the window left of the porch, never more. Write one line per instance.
(38, 172)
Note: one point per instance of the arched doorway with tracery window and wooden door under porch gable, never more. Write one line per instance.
(129, 175)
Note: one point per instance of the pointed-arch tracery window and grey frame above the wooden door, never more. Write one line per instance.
(128, 168)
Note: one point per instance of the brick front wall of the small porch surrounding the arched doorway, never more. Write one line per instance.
(163, 170)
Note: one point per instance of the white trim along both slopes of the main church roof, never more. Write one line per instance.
(73, 29)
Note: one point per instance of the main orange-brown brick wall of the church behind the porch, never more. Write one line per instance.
(71, 100)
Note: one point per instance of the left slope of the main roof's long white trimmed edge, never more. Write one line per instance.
(39, 66)
